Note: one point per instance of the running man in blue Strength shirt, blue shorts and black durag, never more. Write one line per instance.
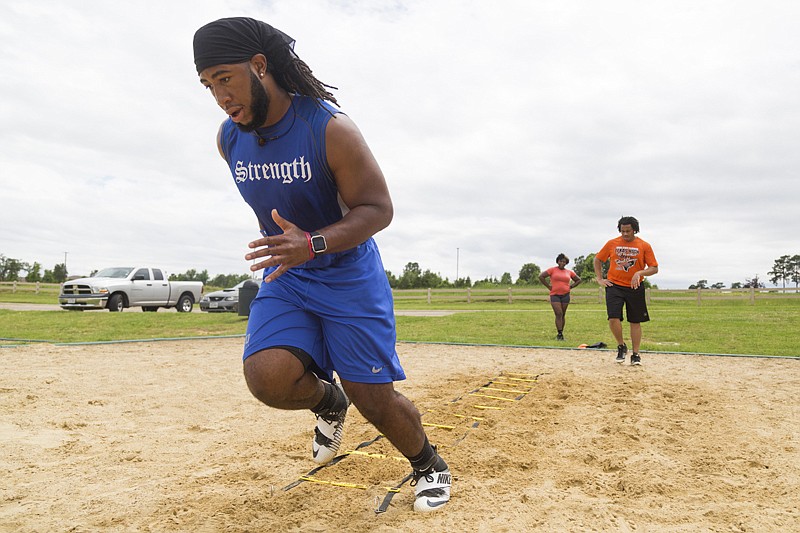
(319, 195)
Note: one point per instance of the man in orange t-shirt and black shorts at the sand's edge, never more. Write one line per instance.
(631, 260)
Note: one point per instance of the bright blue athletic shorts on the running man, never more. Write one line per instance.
(341, 315)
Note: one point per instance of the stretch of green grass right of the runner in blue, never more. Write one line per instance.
(767, 328)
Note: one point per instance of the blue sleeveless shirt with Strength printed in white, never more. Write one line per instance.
(290, 172)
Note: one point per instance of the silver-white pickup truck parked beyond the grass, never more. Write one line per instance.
(120, 287)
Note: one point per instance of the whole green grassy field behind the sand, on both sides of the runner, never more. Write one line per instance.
(767, 327)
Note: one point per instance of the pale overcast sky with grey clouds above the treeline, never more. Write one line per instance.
(508, 131)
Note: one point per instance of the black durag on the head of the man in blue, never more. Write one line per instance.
(235, 40)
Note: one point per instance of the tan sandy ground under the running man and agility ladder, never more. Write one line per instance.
(164, 436)
